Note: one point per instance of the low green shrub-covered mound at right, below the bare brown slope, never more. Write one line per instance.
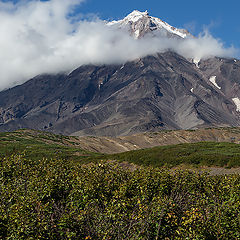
(197, 154)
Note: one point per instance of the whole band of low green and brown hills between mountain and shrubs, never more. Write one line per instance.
(162, 149)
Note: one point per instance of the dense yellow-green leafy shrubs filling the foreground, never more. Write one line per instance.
(55, 199)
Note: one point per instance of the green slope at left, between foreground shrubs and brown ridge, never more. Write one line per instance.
(38, 145)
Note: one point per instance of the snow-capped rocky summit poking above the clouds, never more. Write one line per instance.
(140, 23)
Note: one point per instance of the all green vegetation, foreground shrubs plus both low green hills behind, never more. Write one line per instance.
(50, 188)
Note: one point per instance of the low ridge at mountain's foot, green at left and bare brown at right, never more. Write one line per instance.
(109, 145)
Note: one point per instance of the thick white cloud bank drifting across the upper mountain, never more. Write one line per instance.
(41, 37)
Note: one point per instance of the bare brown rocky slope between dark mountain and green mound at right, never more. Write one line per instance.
(148, 140)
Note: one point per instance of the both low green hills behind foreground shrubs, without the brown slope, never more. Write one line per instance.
(37, 145)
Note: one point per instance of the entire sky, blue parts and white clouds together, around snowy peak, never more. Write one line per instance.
(37, 34)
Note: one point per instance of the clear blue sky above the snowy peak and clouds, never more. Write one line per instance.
(221, 17)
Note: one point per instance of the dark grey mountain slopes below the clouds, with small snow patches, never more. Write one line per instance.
(162, 91)
